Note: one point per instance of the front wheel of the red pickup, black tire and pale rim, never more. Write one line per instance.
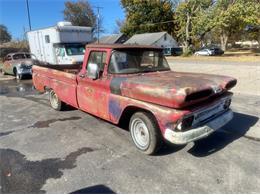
(145, 132)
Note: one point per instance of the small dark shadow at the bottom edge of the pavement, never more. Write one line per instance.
(98, 189)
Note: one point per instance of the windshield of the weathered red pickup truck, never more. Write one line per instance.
(137, 61)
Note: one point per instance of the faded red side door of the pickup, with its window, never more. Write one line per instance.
(93, 94)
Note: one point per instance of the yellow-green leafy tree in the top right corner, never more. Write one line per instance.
(233, 16)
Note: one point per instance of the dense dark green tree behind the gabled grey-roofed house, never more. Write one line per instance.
(144, 16)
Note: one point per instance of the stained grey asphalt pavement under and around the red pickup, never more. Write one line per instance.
(45, 151)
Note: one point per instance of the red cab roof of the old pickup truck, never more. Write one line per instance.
(123, 46)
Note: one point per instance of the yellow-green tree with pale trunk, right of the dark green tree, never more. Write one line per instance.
(192, 20)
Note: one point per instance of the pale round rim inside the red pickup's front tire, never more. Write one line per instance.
(140, 133)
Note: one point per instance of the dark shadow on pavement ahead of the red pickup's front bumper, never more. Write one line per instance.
(235, 129)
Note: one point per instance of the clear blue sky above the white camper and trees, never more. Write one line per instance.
(45, 13)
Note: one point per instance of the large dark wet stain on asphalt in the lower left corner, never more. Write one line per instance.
(19, 175)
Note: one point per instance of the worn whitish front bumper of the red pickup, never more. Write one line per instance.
(199, 132)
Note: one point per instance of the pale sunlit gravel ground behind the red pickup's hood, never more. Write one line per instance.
(247, 73)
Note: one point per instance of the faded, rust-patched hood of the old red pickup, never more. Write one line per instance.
(171, 89)
